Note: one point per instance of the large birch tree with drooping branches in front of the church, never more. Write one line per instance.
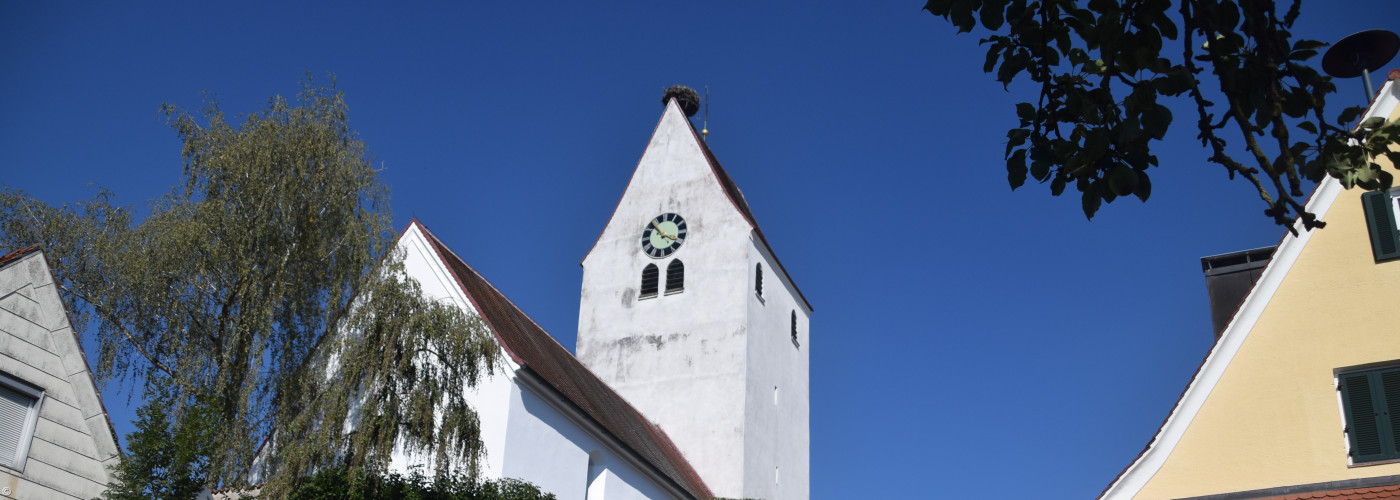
(236, 284)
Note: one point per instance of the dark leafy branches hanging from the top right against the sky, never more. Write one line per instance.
(1104, 69)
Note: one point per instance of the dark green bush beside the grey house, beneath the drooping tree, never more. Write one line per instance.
(163, 456)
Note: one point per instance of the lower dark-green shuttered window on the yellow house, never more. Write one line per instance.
(1370, 398)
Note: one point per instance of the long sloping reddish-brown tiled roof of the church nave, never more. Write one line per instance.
(535, 349)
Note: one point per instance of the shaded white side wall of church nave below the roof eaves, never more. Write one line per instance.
(554, 450)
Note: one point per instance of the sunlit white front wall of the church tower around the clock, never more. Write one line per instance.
(677, 358)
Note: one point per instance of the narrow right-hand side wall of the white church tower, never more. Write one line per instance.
(778, 393)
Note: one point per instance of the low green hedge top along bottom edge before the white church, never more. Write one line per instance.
(337, 484)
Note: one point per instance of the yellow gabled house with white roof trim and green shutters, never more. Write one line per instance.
(1300, 397)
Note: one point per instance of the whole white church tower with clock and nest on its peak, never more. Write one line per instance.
(687, 313)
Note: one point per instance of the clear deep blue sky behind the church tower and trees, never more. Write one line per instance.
(968, 341)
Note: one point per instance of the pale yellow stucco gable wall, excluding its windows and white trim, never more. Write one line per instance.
(1275, 418)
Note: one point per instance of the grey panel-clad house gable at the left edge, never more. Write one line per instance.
(57, 440)
